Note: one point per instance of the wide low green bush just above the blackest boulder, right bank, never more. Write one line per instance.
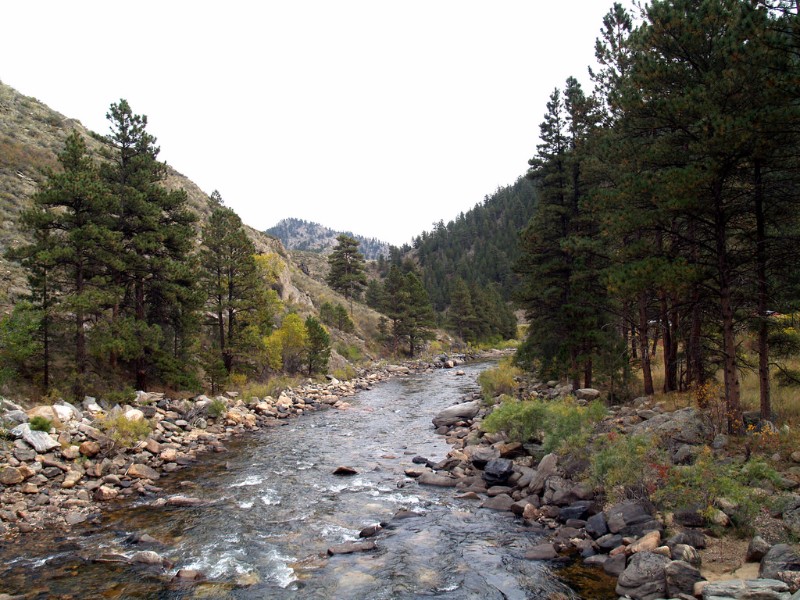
(559, 425)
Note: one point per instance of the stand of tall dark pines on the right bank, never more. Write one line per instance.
(668, 200)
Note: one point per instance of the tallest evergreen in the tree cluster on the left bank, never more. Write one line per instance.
(156, 235)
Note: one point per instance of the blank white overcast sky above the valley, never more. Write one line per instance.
(372, 116)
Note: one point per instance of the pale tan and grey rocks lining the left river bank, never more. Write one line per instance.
(57, 479)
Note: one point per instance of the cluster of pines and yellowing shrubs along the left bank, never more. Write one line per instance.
(126, 285)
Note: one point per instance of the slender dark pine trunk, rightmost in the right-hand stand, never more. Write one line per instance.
(763, 291)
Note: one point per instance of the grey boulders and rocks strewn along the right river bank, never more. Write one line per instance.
(649, 555)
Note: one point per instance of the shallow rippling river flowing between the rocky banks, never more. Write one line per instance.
(274, 508)
